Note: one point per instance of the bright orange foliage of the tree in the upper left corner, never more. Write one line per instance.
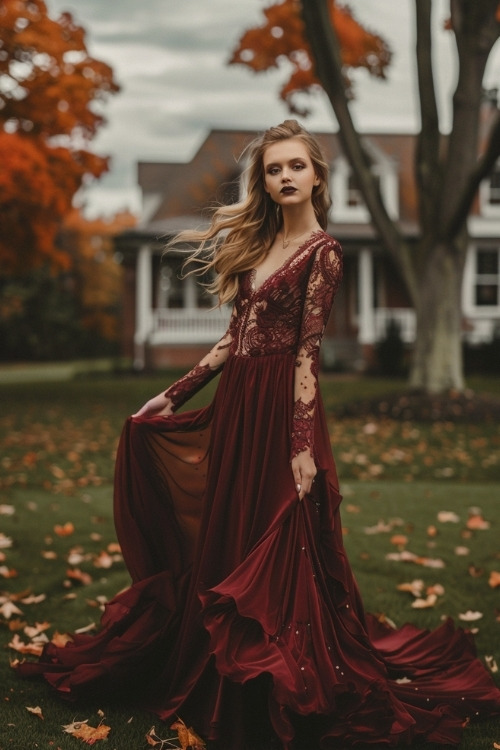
(50, 96)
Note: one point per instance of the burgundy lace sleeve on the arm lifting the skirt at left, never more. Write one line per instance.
(202, 373)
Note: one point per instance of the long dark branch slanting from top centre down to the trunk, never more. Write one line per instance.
(326, 52)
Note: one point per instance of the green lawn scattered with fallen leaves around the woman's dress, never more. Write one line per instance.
(57, 448)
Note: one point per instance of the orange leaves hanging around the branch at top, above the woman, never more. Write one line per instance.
(282, 37)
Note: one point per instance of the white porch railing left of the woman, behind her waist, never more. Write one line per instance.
(191, 326)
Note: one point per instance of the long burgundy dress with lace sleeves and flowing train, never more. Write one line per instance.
(243, 608)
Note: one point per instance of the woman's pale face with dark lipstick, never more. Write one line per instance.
(289, 175)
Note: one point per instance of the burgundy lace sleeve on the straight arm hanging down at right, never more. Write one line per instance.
(324, 280)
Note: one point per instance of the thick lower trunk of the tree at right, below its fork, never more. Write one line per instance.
(437, 357)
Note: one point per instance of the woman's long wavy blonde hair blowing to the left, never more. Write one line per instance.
(240, 234)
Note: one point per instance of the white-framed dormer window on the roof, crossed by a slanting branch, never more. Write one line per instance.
(347, 201)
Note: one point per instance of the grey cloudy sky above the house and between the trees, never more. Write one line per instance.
(170, 56)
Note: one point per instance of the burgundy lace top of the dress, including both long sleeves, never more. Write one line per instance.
(286, 314)
